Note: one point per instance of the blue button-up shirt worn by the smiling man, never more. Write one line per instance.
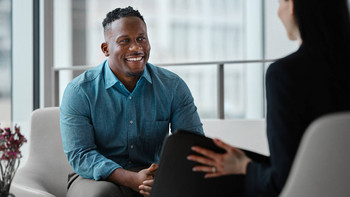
(105, 127)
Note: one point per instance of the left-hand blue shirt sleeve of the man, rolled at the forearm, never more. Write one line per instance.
(78, 136)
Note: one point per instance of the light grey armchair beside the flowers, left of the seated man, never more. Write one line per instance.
(46, 172)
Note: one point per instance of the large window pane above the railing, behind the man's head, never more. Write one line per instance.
(179, 31)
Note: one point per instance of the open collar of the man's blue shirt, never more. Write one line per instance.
(111, 79)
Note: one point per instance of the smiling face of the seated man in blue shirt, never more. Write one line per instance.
(127, 46)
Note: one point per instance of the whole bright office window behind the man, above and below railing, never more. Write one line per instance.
(185, 31)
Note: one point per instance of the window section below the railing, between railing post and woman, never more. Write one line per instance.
(244, 85)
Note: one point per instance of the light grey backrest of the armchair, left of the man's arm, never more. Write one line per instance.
(46, 156)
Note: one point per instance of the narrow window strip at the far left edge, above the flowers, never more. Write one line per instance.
(5, 62)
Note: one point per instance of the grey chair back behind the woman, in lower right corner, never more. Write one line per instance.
(321, 166)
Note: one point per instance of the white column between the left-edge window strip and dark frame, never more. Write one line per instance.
(22, 67)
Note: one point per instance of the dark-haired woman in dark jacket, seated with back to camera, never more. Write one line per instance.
(301, 87)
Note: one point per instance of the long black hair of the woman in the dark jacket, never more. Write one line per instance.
(324, 27)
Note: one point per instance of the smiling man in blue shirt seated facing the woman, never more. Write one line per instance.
(115, 116)
